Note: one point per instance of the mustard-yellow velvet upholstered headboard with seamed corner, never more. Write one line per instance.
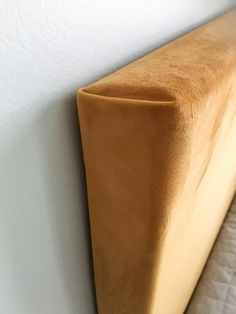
(159, 142)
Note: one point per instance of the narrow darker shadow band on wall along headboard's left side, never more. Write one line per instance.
(60, 137)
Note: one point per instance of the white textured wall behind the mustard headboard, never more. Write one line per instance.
(47, 50)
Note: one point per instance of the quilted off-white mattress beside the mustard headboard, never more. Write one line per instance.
(216, 290)
